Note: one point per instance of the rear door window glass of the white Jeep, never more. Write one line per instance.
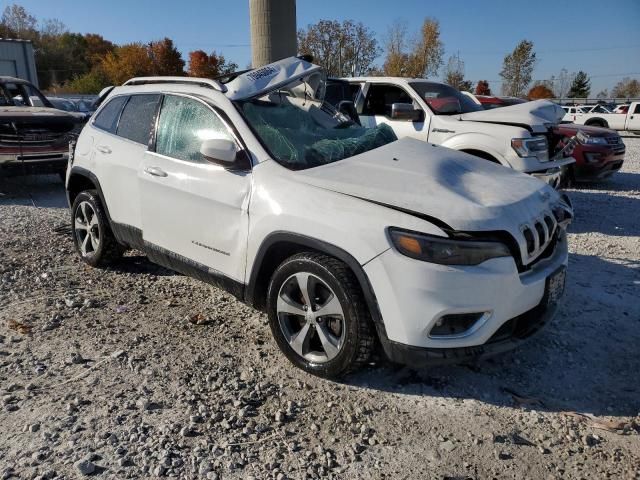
(138, 117)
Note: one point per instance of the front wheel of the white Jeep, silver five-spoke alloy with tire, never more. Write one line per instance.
(318, 315)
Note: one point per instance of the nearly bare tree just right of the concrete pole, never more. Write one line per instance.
(343, 49)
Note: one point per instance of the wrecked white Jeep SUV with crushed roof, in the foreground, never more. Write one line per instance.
(344, 235)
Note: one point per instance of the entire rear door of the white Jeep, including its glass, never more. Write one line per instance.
(122, 130)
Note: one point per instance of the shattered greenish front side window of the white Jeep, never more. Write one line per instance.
(184, 124)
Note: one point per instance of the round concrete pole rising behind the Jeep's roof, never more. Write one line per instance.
(273, 30)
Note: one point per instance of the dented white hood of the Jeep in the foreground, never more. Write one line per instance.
(463, 191)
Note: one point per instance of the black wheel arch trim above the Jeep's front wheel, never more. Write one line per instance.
(280, 245)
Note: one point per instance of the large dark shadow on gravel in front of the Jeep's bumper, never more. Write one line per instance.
(586, 360)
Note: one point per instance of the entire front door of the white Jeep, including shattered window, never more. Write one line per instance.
(194, 212)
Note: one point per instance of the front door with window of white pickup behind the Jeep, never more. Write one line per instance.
(375, 109)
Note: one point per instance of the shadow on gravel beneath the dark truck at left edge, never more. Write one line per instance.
(44, 191)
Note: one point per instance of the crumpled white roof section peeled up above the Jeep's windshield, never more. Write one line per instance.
(268, 78)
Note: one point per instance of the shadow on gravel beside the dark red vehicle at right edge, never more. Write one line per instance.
(620, 219)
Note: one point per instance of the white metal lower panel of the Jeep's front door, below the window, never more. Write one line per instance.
(198, 211)
